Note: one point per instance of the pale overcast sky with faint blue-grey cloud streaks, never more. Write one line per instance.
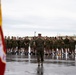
(49, 17)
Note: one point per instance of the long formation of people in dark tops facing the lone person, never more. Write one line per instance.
(52, 45)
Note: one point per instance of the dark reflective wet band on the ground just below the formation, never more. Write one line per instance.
(29, 59)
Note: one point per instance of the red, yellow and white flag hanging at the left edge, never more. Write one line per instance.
(2, 48)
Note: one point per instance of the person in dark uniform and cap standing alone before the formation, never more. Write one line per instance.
(39, 42)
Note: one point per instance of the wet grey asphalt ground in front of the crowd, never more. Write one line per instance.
(27, 65)
